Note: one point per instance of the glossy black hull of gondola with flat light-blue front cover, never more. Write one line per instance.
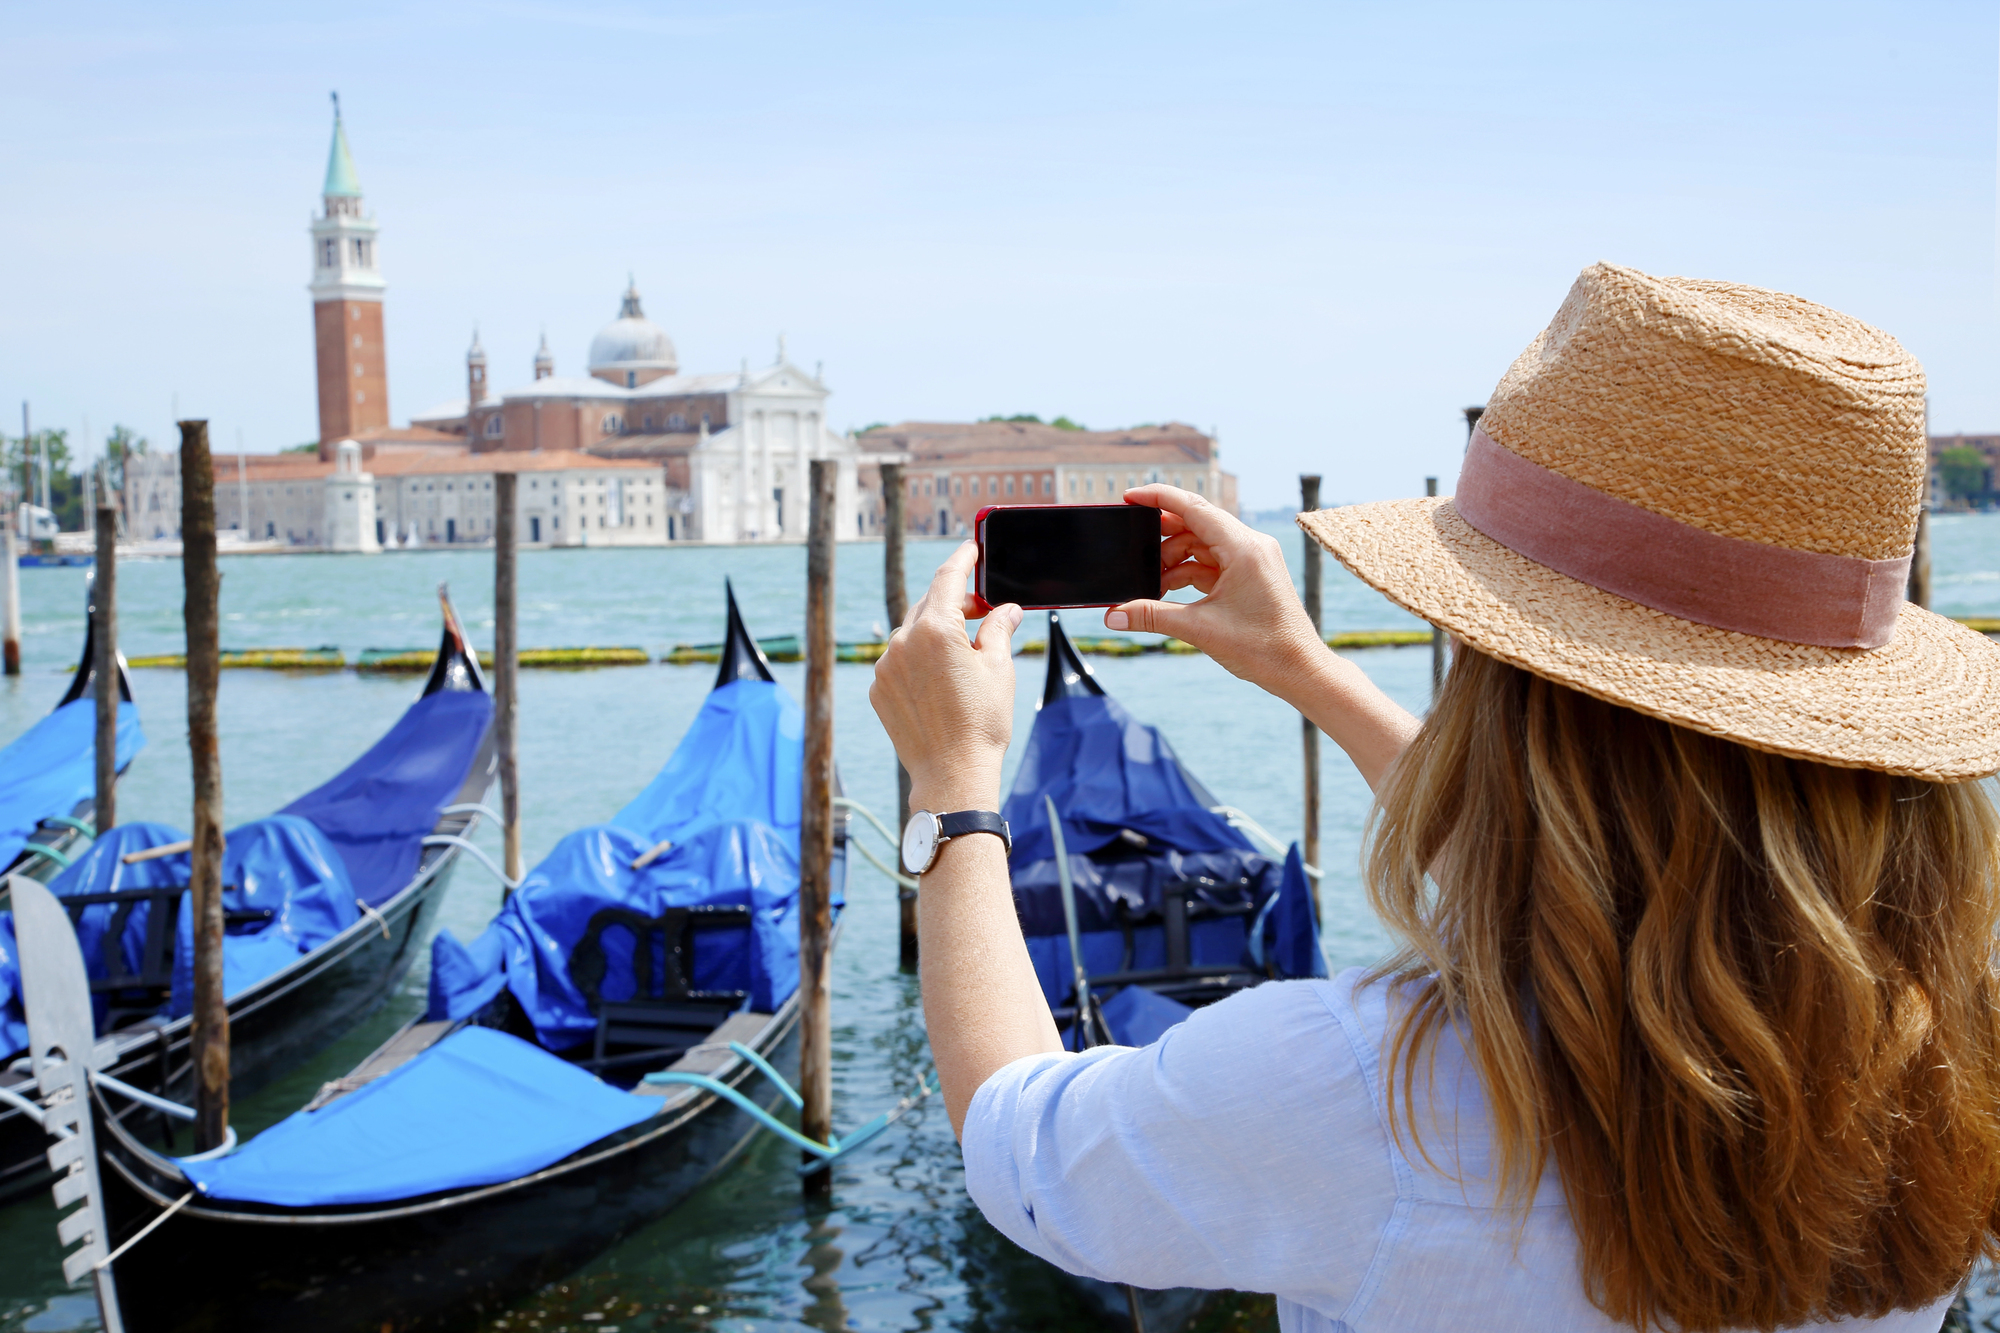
(445, 1264)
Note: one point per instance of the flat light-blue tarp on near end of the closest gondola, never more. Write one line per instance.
(477, 1110)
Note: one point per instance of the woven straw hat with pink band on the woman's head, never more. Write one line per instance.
(1699, 501)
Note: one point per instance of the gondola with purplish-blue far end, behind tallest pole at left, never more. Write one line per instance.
(327, 904)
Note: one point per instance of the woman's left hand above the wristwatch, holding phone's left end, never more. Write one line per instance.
(947, 702)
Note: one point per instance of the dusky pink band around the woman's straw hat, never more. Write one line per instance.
(1683, 571)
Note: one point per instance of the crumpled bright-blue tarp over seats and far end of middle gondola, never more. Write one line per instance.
(729, 802)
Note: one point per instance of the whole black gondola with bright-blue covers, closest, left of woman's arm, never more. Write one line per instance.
(511, 1134)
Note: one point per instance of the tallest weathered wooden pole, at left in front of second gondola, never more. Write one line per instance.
(203, 591)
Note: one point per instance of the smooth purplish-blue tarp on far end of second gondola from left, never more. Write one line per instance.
(383, 806)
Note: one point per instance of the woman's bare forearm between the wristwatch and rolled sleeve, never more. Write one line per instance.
(983, 1006)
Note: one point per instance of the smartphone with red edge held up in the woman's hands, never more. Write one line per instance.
(1067, 555)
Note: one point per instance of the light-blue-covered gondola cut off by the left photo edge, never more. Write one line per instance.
(49, 802)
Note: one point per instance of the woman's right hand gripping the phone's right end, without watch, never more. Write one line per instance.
(1251, 617)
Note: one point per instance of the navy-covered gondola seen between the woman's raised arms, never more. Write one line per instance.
(1153, 884)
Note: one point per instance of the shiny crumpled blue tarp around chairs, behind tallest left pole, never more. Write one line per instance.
(281, 866)
